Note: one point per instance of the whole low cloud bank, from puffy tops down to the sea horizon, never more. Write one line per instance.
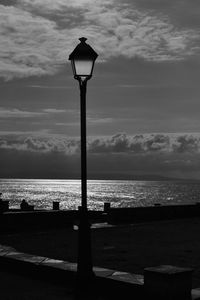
(176, 155)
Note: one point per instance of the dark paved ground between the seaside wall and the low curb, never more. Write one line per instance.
(124, 248)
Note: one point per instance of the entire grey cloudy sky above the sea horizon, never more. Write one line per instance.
(143, 102)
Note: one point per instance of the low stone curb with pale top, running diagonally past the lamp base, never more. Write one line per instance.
(110, 283)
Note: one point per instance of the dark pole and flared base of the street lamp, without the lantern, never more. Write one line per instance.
(85, 274)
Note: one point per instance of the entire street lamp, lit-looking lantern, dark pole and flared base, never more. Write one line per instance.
(82, 61)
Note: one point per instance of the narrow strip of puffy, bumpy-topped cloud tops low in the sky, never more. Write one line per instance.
(119, 143)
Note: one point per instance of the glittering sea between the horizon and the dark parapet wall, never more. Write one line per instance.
(120, 193)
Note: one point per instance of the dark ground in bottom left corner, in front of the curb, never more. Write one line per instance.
(17, 287)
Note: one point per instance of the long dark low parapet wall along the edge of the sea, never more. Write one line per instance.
(27, 220)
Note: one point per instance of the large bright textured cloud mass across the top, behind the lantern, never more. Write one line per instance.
(37, 36)
